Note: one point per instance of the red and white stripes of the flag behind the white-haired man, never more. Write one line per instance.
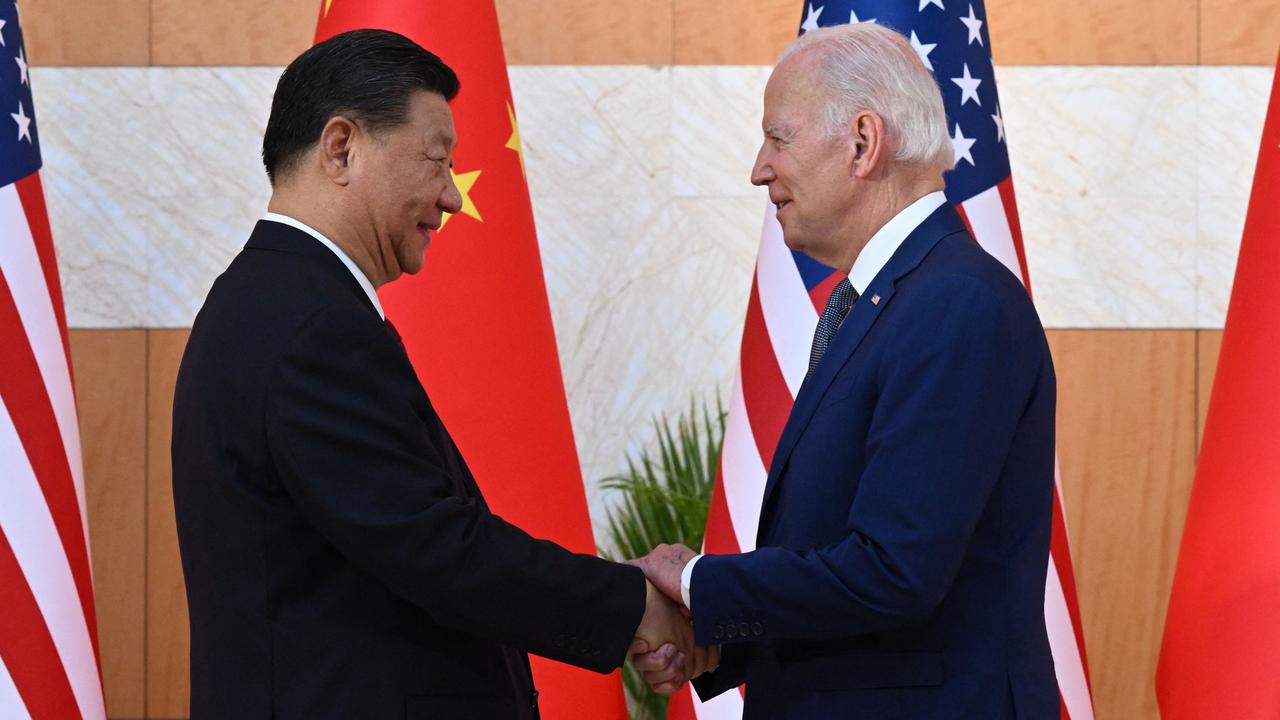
(780, 323)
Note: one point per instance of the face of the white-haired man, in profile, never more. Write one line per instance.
(810, 174)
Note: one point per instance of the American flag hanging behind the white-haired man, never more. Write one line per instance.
(790, 291)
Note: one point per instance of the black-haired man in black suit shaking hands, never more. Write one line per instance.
(340, 558)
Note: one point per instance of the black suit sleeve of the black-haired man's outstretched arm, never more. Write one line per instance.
(362, 467)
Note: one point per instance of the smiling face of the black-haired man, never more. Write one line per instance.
(405, 184)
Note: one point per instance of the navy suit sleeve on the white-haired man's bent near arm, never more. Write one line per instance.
(952, 393)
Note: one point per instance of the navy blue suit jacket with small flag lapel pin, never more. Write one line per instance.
(904, 537)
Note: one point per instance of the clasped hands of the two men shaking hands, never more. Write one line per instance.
(664, 650)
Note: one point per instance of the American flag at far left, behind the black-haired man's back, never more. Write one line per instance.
(49, 660)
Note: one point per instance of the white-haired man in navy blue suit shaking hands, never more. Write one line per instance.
(904, 534)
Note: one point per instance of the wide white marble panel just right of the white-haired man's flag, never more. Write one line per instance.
(1107, 190)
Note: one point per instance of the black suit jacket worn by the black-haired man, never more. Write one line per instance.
(340, 558)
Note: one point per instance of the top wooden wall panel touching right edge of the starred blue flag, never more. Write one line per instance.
(1094, 33)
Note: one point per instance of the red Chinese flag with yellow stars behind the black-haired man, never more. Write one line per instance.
(477, 322)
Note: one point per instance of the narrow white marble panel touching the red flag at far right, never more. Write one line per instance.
(1232, 108)
